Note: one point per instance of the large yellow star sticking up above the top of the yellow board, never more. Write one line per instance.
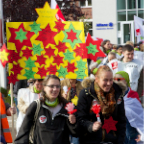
(46, 14)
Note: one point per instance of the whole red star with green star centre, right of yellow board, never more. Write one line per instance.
(92, 51)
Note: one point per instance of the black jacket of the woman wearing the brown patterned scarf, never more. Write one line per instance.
(86, 118)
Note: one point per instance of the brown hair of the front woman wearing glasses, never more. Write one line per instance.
(60, 98)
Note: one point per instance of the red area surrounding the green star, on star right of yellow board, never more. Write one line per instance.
(97, 43)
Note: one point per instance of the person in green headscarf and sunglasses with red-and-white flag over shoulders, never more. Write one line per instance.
(133, 110)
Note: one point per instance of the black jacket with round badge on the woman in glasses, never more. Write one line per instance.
(54, 131)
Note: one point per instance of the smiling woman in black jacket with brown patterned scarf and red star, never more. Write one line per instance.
(105, 93)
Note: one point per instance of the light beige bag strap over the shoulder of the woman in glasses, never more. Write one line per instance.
(31, 134)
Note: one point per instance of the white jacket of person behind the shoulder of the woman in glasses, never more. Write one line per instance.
(25, 97)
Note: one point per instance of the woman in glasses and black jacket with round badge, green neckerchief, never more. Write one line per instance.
(53, 124)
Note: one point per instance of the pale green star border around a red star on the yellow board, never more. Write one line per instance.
(77, 35)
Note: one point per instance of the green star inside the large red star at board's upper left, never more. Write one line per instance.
(21, 35)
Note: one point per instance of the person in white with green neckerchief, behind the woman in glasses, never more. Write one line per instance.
(25, 97)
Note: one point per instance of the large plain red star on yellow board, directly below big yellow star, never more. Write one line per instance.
(47, 36)
